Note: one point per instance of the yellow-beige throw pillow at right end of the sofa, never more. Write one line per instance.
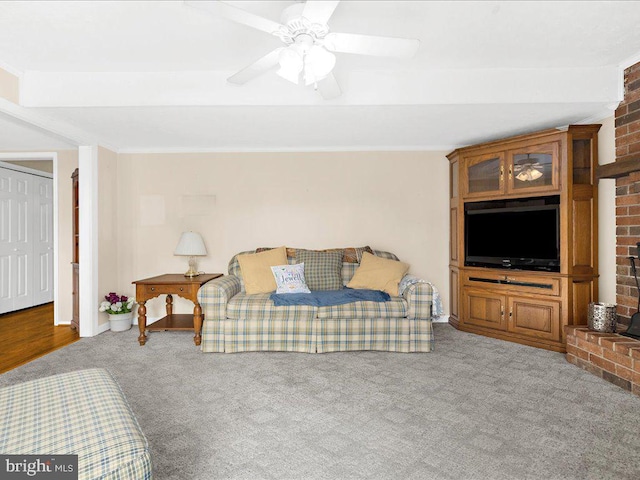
(377, 273)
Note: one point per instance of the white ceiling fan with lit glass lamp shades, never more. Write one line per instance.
(308, 43)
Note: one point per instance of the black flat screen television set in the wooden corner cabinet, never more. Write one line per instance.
(517, 234)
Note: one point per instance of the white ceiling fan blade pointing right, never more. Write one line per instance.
(371, 45)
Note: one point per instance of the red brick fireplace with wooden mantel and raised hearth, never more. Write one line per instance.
(610, 356)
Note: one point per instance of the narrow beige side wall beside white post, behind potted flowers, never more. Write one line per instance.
(108, 226)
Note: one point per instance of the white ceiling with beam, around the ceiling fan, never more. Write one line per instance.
(151, 75)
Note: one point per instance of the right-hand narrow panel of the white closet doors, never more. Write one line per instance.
(42, 240)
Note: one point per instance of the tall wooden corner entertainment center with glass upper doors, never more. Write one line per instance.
(512, 303)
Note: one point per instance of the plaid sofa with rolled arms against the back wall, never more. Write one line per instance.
(237, 322)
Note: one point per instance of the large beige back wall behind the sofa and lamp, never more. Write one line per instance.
(394, 201)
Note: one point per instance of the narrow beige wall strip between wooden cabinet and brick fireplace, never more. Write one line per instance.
(606, 215)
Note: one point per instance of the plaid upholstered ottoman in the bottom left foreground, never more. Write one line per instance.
(80, 413)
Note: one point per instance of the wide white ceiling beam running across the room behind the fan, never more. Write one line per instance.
(360, 87)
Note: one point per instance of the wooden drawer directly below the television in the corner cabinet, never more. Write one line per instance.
(514, 282)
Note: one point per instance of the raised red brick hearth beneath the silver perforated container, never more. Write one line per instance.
(610, 356)
